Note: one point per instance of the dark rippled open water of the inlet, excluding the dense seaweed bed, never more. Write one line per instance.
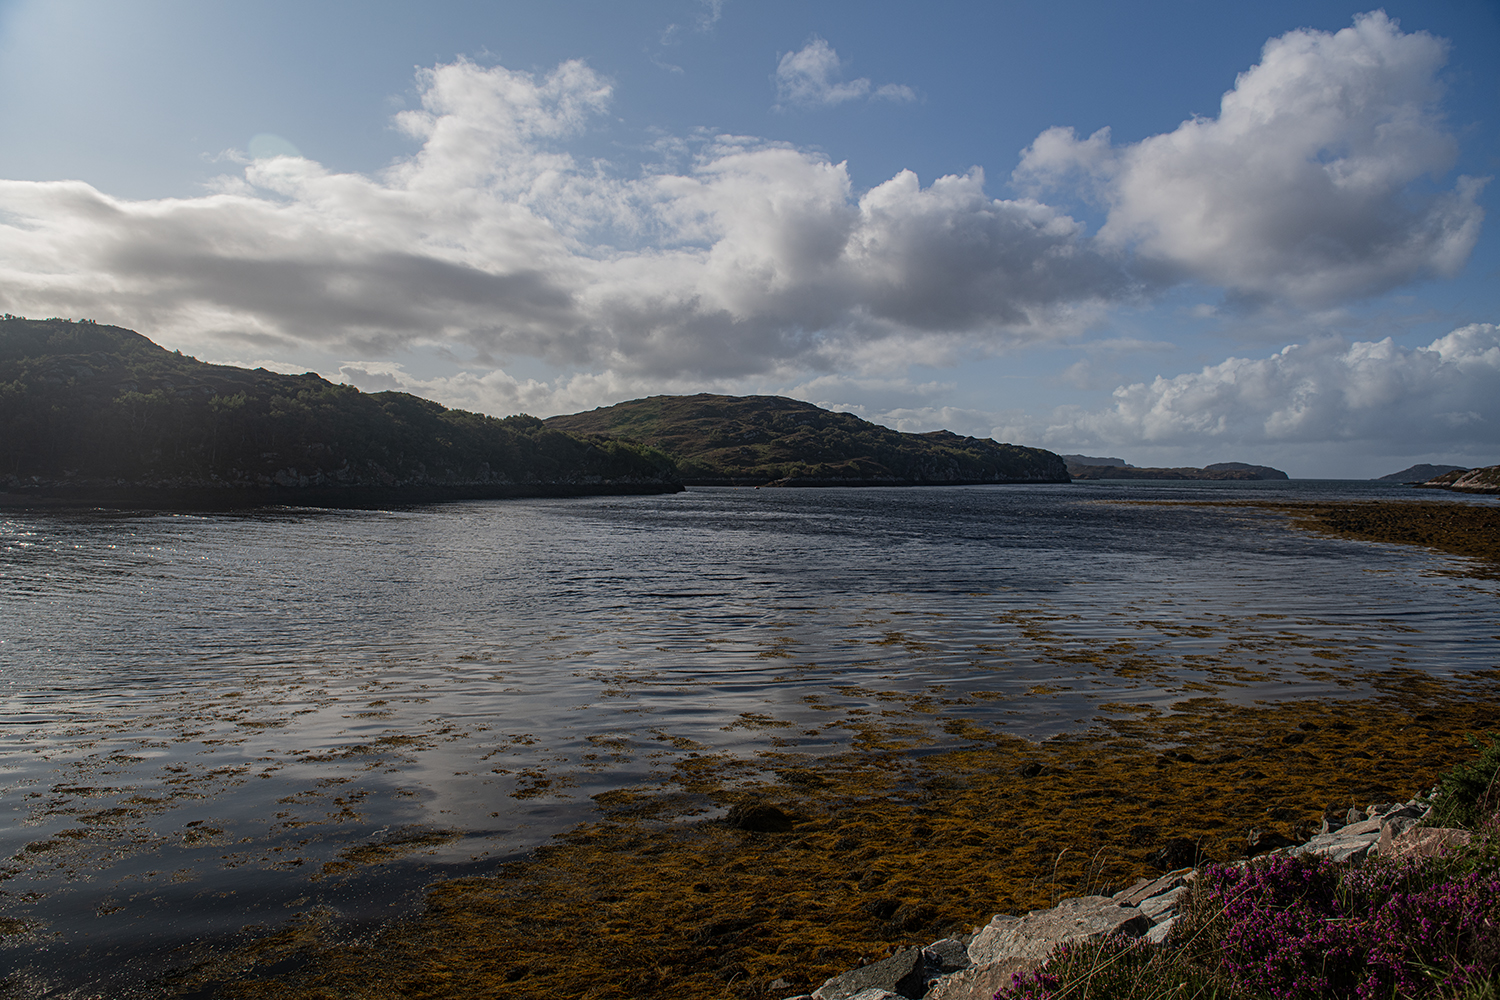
(215, 722)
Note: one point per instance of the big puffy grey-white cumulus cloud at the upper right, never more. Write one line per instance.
(1304, 187)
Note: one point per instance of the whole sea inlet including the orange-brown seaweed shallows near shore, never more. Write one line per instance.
(247, 753)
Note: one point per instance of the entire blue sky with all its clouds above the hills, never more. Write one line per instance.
(1175, 232)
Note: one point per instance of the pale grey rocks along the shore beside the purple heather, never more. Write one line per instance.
(979, 965)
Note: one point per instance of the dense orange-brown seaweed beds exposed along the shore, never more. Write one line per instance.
(920, 827)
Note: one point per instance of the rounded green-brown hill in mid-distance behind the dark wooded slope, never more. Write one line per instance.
(755, 440)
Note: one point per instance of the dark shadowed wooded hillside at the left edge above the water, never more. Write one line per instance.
(86, 407)
